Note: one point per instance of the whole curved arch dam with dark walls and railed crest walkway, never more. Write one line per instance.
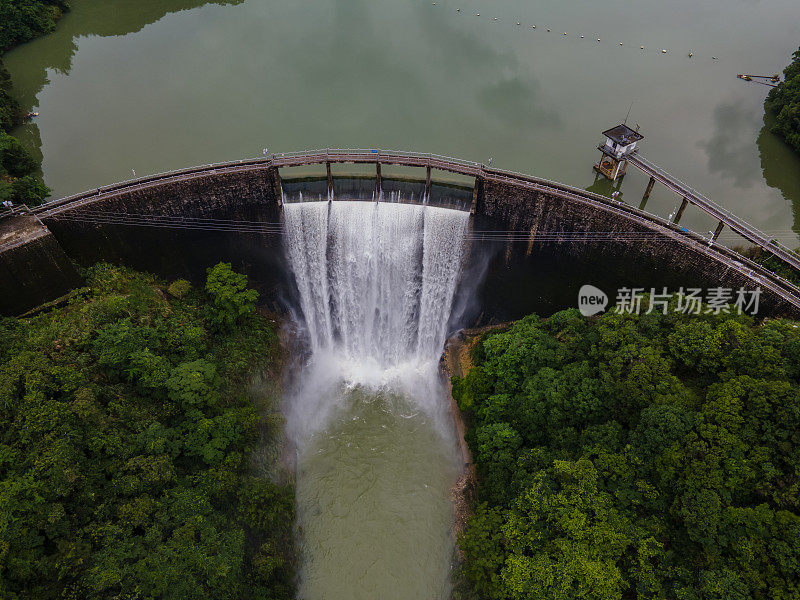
(539, 239)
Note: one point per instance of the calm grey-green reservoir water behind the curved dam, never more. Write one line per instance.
(126, 85)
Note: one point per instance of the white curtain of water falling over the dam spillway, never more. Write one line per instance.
(376, 279)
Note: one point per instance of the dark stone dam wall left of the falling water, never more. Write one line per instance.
(115, 226)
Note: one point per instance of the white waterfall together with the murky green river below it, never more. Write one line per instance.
(376, 451)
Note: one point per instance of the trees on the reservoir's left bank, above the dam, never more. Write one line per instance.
(22, 21)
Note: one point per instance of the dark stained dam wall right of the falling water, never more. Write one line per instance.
(554, 226)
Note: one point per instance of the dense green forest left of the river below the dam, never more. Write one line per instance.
(127, 428)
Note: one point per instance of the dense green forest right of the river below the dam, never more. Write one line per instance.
(653, 456)
